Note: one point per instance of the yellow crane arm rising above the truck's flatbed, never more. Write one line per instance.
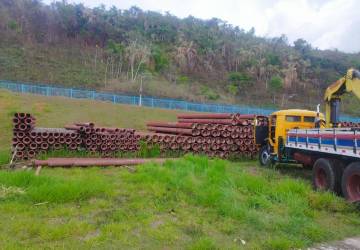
(349, 83)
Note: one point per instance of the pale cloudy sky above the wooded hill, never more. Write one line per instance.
(326, 24)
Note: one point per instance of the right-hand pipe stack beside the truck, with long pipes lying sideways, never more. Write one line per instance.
(212, 134)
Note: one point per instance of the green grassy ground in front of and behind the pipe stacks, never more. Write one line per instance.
(190, 203)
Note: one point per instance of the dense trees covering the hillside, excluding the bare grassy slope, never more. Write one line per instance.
(129, 42)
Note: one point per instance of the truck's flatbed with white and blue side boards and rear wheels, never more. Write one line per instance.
(333, 154)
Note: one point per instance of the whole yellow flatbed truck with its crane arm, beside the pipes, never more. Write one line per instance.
(305, 137)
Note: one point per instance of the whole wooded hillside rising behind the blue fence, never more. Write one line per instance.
(190, 58)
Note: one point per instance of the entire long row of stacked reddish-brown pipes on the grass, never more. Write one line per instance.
(213, 134)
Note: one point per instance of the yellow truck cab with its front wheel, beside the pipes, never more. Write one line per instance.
(279, 123)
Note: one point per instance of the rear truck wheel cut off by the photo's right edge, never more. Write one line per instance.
(351, 182)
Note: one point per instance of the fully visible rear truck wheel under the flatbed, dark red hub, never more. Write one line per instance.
(324, 176)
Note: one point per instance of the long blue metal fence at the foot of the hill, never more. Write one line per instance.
(42, 89)
